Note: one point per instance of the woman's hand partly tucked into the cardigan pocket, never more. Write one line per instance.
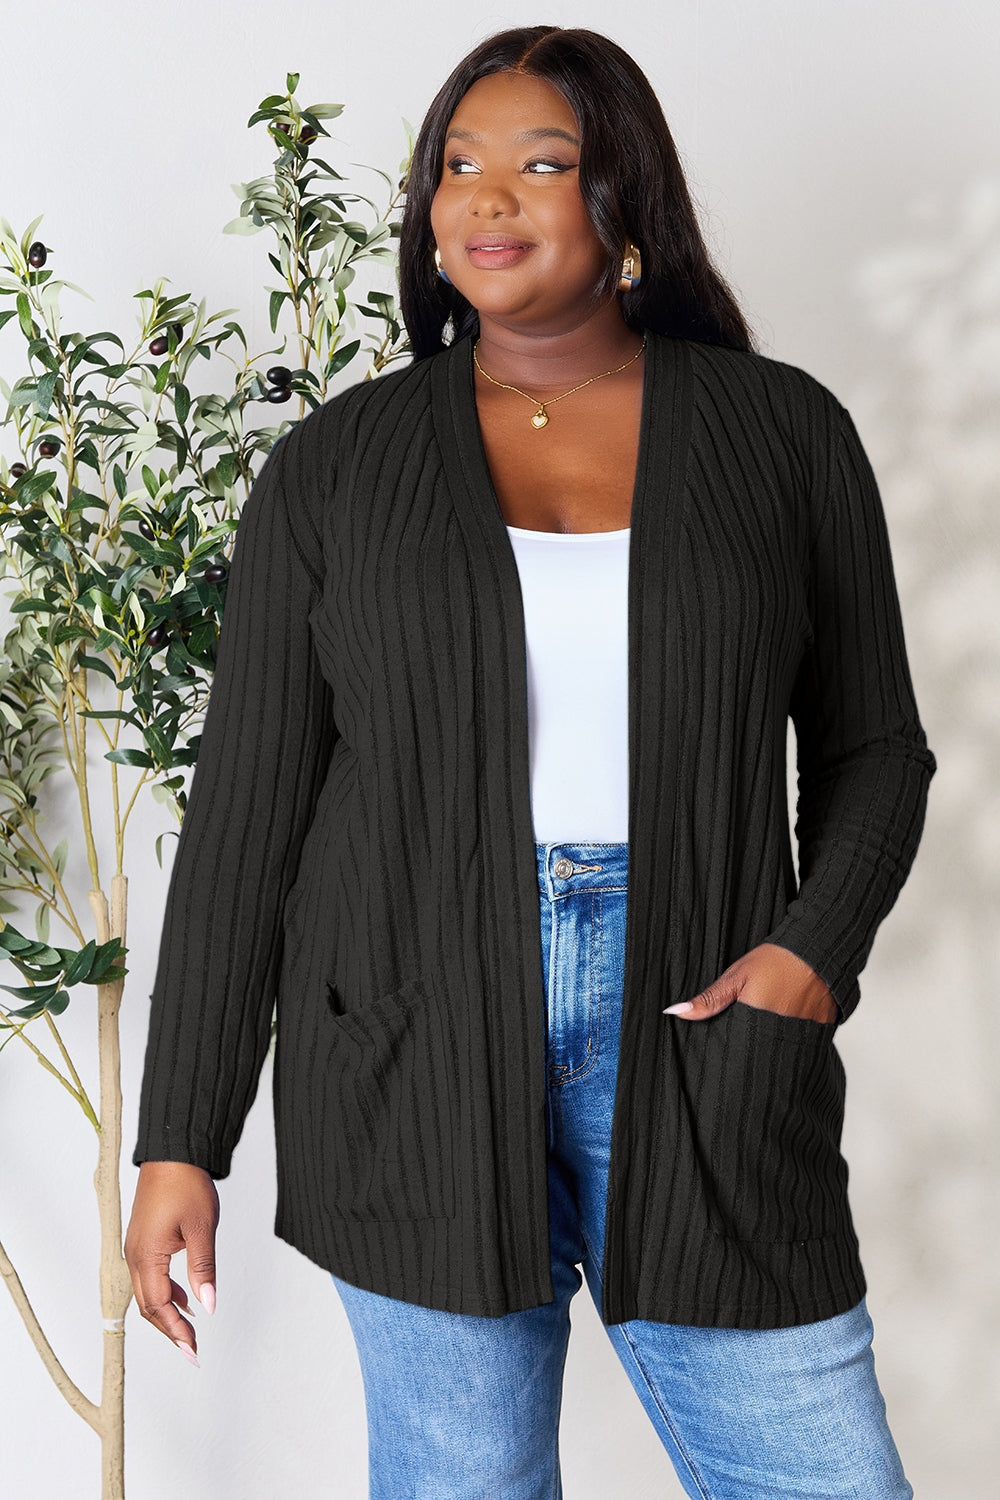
(770, 979)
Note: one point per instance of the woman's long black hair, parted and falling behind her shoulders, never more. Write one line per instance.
(630, 178)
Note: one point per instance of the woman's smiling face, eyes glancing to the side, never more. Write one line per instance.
(509, 218)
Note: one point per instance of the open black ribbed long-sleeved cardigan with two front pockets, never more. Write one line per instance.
(359, 850)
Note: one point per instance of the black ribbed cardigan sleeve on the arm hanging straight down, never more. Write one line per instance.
(265, 749)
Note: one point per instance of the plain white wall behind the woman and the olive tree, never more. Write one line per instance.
(846, 160)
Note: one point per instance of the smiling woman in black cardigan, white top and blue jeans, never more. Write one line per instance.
(493, 794)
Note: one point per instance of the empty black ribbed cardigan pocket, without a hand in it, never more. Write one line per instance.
(391, 1105)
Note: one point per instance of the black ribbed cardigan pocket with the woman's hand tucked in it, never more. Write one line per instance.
(776, 1126)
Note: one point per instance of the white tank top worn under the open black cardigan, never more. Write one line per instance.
(575, 592)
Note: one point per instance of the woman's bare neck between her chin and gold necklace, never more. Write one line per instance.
(546, 359)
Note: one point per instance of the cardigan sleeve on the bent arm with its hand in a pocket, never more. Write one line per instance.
(863, 760)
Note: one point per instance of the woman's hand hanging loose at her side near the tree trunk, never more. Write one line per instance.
(176, 1208)
